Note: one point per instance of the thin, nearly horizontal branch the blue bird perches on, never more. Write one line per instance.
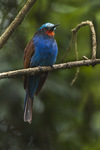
(37, 70)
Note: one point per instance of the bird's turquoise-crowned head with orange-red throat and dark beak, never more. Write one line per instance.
(48, 28)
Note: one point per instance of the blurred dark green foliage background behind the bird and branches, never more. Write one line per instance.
(64, 117)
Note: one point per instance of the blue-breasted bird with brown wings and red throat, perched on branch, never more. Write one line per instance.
(42, 50)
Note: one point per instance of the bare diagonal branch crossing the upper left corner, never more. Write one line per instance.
(16, 22)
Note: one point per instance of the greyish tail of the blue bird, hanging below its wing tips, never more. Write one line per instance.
(28, 108)
